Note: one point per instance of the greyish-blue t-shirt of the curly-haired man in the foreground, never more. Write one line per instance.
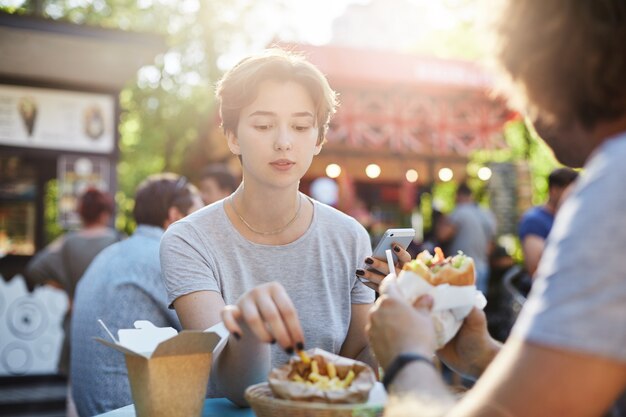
(578, 300)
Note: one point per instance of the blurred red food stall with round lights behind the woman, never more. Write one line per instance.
(410, 116)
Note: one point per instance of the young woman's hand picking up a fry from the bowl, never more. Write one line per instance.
(270, 315)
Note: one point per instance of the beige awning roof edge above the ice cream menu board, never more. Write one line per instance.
(51, 52)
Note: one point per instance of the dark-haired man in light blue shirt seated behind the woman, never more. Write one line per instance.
(123, 284)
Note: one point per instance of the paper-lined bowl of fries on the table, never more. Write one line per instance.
(316, 383)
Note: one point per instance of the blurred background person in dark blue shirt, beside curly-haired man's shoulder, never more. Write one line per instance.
(536, 223)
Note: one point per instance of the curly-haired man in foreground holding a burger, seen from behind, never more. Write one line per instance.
(565, 62)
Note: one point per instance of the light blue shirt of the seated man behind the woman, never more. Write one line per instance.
(123, 284)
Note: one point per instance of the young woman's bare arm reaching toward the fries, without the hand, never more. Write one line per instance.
(231, 371)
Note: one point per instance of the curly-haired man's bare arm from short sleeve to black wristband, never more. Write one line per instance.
(526, 380)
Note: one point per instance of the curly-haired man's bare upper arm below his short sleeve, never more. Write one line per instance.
(529, 380)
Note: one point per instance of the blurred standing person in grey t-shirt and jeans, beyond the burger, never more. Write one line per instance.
(471, 229)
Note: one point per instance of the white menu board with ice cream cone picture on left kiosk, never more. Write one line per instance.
(56, 119)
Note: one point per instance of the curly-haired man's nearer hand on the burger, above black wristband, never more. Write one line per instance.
(396, 327)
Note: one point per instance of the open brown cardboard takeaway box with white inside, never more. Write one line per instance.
(168, 371)
